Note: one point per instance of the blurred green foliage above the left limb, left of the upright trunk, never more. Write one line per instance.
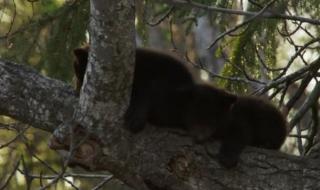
(43, 34)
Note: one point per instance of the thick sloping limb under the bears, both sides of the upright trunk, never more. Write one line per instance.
(158, 157)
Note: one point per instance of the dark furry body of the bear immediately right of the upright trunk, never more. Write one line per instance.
(159, 81)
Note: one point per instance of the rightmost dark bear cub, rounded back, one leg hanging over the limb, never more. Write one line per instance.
(254, 122)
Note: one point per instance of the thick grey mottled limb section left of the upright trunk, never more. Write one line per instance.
(32, 98)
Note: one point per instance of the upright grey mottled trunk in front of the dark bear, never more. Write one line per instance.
(107, 85)
